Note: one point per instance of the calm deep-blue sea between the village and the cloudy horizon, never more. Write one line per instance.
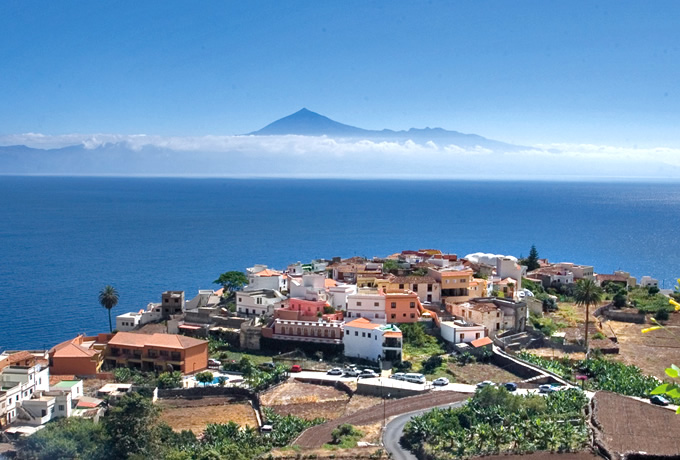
(63, 239)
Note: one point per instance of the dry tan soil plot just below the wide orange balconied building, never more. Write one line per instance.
(196, 414)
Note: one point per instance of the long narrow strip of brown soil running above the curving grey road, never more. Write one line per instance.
(319, 435)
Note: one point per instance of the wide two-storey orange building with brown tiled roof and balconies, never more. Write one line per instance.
(162, 352)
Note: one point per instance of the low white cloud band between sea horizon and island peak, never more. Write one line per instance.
(294, 155)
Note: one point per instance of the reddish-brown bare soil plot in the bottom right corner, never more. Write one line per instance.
(624, 424)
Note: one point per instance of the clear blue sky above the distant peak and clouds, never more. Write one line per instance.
(528, 72)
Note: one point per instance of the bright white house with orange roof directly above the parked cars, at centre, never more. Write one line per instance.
(367, 340)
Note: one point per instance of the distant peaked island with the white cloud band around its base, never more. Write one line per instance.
(307, 144)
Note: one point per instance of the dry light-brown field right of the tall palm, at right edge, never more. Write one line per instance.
(652, 352)
